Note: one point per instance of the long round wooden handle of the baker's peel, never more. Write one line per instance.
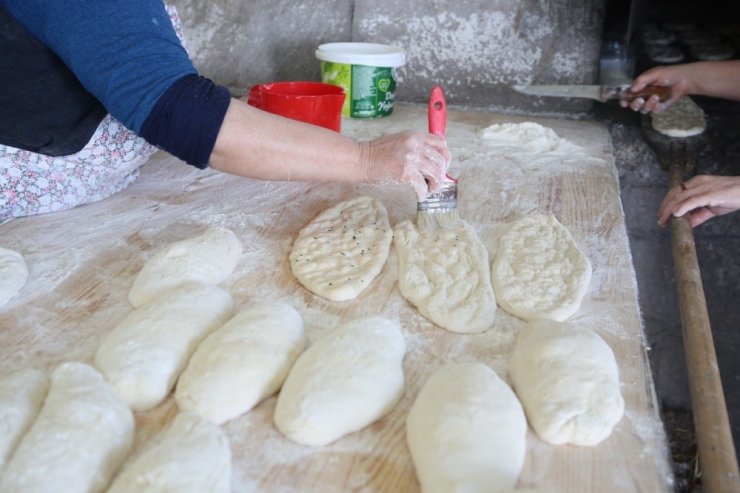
(717, 459)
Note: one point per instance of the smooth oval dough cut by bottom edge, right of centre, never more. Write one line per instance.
(466, 431)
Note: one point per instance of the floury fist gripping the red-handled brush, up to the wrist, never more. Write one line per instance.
(417, 158)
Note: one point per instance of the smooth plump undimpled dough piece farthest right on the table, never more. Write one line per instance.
(567, 379)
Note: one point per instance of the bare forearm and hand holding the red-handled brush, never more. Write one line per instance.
(260, 145)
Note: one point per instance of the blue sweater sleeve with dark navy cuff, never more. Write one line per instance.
(125, 53)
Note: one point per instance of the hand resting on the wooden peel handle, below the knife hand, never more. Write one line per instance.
(701, 198)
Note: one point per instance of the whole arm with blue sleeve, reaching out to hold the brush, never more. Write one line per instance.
(128, 56)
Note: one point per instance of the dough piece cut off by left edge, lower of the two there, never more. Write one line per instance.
(21, 396)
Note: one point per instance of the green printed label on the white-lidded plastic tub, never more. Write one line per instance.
(370, 90)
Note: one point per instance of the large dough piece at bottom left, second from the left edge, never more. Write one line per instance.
(81, 436)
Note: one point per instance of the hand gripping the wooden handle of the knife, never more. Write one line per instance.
(677, 77)
